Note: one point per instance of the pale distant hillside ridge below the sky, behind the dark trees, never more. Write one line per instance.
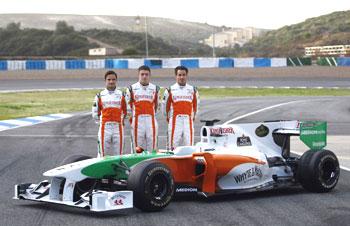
(168, 29)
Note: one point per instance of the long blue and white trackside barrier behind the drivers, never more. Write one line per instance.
(167, 63)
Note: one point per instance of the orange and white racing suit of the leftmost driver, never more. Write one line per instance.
(109, 110)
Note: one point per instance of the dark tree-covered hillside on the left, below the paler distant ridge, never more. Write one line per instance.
(66, 41)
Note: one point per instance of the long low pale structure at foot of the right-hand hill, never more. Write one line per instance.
(335, 50)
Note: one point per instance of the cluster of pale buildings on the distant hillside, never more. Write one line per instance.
(230, 38)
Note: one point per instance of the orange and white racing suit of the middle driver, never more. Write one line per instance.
(143, 105)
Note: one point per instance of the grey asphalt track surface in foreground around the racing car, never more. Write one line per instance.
(29, 151)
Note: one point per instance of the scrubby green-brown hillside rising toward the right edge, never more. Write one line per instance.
(330, 29)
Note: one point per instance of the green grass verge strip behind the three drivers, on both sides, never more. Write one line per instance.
(18, 105)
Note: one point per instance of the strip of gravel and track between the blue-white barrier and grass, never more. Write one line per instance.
(308, 76)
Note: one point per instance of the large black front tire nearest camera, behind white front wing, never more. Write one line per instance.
(152, 184)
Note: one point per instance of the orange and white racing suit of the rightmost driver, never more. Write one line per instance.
(180, 105)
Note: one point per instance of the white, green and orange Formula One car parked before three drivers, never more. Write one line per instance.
(230, 158)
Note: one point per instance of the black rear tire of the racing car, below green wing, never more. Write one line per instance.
(318, 171)
